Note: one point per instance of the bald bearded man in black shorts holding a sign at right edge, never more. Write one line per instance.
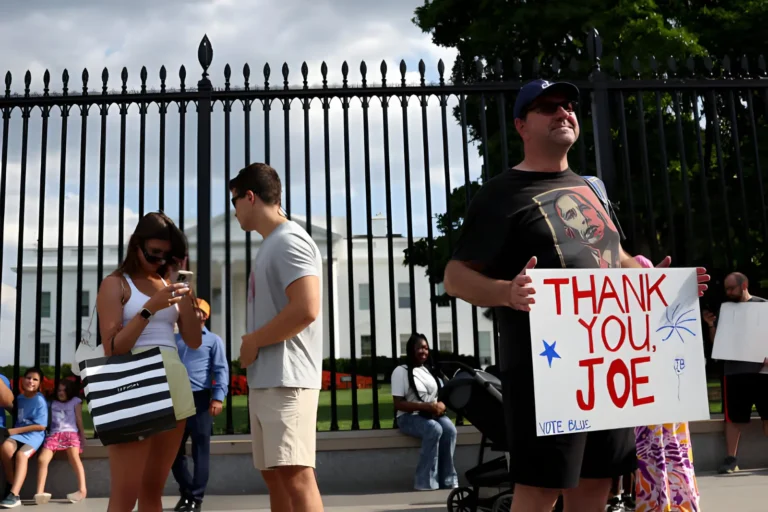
(744, 384)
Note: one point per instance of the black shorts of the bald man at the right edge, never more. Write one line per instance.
(741, 392)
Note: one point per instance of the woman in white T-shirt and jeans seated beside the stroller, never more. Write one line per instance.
(419, 414)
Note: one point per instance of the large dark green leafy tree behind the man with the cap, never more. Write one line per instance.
(548, 39)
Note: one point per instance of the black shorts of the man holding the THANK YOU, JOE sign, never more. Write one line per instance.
(559, 461)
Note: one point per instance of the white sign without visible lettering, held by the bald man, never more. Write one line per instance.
(742, 332)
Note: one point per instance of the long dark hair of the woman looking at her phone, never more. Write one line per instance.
(153, 226)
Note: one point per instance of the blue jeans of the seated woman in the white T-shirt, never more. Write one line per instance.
(438, 443)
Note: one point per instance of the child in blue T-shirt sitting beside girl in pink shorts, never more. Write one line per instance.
(27, 435)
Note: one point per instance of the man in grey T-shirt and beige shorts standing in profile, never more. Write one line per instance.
(283, 349)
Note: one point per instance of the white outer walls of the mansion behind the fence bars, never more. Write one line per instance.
(362, 320)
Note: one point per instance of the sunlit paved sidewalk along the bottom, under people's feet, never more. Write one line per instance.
(743, 492)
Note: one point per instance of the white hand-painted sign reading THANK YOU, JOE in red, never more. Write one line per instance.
(616, 348)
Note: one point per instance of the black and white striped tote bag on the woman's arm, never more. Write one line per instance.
(128, 396)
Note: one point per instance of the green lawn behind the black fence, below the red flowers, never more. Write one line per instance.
(344, 410)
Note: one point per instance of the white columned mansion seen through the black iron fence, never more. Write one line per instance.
(236, 289)
